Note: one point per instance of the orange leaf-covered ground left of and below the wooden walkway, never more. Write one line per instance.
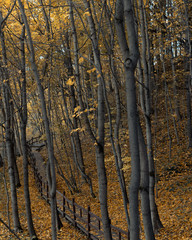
(41, 215)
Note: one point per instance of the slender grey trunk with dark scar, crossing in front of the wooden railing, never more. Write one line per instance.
(101, 171)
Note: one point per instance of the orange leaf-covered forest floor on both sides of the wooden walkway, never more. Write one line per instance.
(173, 190)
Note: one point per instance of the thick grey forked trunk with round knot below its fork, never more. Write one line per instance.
(130, 57)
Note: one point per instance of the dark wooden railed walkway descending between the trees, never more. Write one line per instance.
(83, 219)
